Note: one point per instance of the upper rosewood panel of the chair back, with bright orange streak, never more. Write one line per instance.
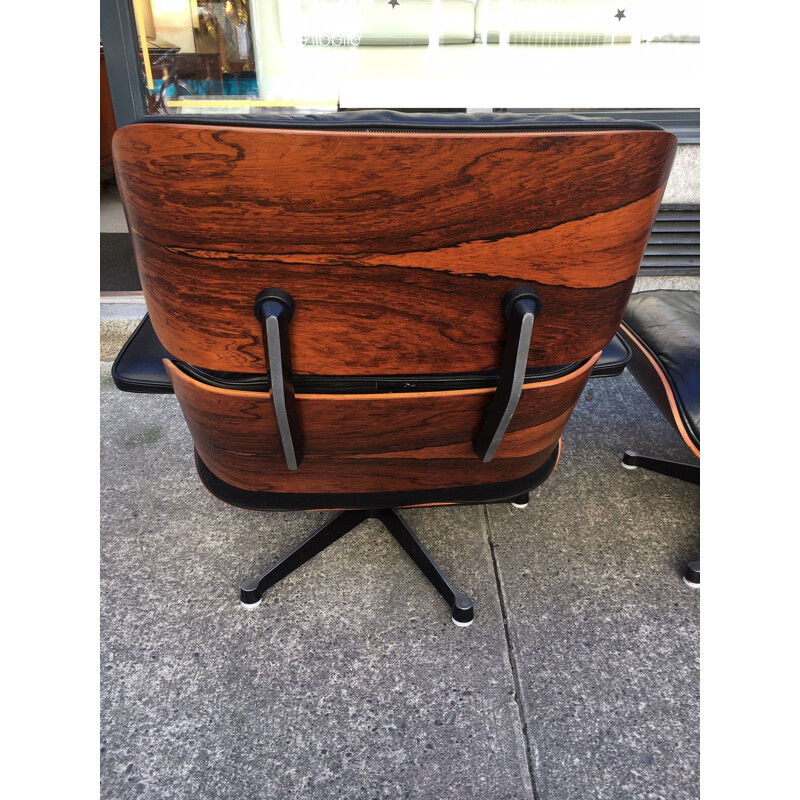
(397, 248)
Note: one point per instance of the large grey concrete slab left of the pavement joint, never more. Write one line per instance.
(349, 681)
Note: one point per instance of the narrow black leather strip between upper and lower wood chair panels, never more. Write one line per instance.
(379, 384)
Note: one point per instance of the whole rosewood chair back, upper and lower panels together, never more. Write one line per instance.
(397, 245)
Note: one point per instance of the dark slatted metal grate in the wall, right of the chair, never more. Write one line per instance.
(674, 246)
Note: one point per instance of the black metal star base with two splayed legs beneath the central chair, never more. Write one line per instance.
(461, 608)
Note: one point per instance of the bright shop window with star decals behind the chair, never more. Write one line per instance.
(257, 55)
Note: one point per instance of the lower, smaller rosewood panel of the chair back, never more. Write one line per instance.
(373, 443)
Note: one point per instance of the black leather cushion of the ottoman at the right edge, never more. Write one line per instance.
(667, 322)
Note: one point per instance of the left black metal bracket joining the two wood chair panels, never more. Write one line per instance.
(274, 309)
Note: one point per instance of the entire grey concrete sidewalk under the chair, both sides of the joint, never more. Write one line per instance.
(579, 678)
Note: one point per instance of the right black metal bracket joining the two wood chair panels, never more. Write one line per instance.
(520, 307)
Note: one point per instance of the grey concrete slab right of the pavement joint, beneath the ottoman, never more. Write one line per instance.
(604, 633)
